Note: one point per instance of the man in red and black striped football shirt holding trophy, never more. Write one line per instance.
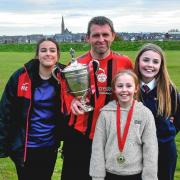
(77, 144)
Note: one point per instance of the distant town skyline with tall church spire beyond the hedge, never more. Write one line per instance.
(67, 36)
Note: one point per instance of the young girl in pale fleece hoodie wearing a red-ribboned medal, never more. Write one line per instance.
(125, 143)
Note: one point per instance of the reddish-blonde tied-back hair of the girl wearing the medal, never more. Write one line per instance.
(132, 74)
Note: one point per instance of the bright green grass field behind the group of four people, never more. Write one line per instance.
(10, 61)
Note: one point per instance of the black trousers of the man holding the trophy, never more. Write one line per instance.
(77, 153)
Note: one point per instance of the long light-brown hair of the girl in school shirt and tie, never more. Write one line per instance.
(162, 78)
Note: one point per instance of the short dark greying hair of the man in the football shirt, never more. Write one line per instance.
(100, 20)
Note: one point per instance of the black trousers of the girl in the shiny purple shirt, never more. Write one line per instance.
(39, 164)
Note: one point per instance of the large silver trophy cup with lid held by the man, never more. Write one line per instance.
(77, 79)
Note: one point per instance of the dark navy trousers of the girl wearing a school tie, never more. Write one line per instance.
(167, 160)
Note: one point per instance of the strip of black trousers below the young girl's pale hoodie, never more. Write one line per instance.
(110, 176)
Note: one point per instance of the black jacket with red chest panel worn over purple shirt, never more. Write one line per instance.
(15, 109)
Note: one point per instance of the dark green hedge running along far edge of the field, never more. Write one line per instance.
(116, 46)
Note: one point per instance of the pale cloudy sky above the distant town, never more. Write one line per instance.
(26, 17)
